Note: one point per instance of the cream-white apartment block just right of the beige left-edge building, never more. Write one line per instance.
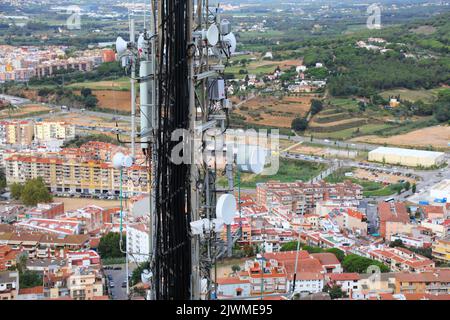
(46, 131)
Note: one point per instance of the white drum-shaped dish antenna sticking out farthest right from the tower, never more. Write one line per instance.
(251, 159)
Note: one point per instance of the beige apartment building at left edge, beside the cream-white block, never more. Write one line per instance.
(16, 132)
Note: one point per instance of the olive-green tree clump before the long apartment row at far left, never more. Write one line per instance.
(34, 191)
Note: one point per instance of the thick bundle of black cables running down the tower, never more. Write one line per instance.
(172, 257)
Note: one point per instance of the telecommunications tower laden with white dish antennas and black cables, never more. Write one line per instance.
(180, 57)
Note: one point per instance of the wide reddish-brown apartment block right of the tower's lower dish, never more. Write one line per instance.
(303, 197)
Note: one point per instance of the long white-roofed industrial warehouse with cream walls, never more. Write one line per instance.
(407, 157)
